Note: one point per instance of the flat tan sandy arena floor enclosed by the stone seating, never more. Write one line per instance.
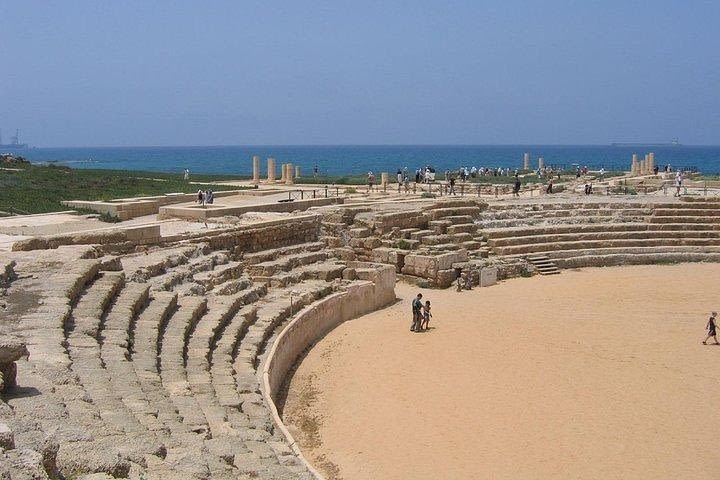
(592, 374)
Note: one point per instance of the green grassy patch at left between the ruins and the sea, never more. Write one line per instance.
(40, 189)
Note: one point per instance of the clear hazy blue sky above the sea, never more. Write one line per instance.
(76, 73)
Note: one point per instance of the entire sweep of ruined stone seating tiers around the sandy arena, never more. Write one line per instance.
(158, 349)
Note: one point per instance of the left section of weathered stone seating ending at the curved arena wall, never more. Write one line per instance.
(150, 364)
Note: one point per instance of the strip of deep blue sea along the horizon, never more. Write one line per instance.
(337, 160)
